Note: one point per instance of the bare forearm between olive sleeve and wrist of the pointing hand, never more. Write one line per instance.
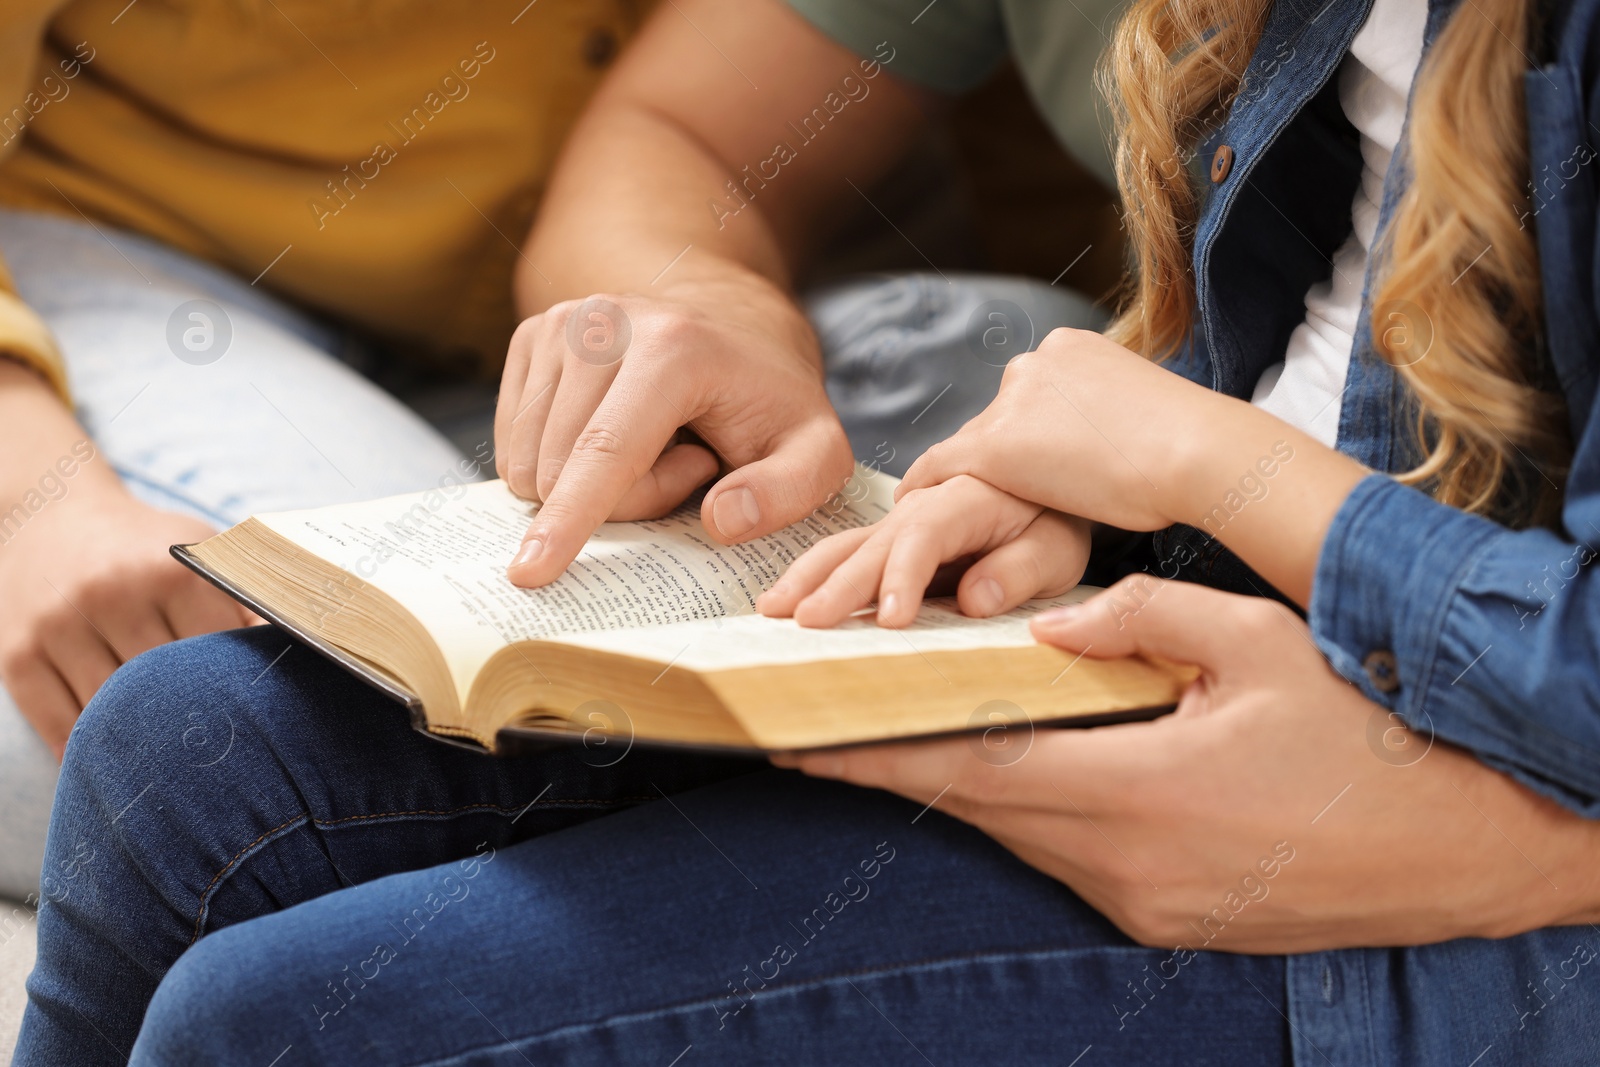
(682, 172)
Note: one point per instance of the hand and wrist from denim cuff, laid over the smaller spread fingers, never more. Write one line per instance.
(1092, 430)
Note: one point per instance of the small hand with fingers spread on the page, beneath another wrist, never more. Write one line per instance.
(1025, 551)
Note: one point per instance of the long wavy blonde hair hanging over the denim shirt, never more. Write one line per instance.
(1492, 433)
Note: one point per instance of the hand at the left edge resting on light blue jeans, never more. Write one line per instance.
(87, 586)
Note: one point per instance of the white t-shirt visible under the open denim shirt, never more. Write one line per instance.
(1375, 81)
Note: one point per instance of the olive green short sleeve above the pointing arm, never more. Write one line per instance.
(950, 46)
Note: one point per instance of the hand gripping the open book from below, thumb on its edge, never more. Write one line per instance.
(1276, 812)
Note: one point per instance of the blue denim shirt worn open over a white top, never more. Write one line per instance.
(1495, 634)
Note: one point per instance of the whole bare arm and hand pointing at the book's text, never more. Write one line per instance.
(666, 204)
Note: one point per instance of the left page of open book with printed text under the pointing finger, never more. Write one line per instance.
(444, 554)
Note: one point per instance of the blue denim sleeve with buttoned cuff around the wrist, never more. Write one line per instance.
(1494, 634)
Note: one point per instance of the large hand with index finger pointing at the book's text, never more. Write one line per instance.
(620, 407)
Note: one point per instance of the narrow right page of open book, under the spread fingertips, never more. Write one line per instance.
(759, 642)
